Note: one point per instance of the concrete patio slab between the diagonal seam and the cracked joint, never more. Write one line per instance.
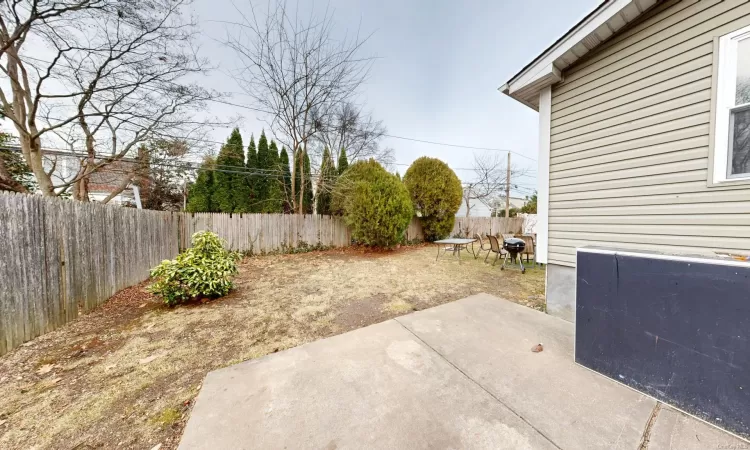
(490, 340)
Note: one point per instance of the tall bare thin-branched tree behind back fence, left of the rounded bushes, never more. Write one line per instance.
(298, 73)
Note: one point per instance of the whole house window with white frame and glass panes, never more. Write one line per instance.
(732, 133)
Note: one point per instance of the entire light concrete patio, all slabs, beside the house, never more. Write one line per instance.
(460, 375)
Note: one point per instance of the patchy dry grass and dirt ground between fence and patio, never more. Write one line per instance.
(125, 375)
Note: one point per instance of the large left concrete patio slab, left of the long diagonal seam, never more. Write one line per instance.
(377, 387)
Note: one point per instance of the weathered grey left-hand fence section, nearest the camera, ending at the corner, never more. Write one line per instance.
(59, 258)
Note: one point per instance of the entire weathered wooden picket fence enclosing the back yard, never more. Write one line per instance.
(60, 258)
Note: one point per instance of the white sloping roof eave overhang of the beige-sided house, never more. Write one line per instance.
(598, 26)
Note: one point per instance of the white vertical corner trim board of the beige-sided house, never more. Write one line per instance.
(542, 224)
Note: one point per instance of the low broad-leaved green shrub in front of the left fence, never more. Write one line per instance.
(203, 270)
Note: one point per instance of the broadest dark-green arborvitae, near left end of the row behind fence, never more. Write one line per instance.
(231, 189)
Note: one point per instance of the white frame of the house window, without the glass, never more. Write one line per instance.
(726, 89)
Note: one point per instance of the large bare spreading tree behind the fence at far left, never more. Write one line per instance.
(100, 77)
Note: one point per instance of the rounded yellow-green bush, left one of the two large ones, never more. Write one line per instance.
(375, 204)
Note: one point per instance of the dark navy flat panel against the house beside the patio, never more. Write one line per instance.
(677, 330)
